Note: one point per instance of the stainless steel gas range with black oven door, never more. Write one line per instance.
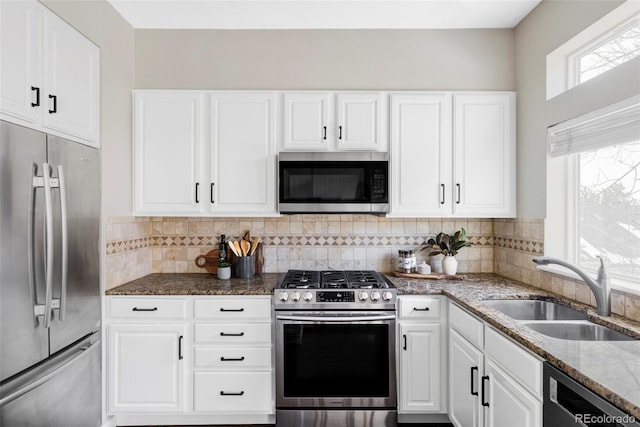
(335, 341)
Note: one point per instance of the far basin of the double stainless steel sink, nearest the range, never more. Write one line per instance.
(535, 310)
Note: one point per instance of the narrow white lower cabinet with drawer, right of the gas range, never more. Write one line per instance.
(421, 355)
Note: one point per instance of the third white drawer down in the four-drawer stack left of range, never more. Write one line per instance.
(232, 358)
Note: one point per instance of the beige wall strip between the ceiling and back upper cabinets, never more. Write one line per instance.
(325, 59)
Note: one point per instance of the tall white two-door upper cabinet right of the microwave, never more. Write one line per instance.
(453, 154)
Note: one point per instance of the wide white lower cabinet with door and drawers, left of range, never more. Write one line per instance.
(190, 360)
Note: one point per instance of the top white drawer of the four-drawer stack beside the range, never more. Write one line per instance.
(233, 308)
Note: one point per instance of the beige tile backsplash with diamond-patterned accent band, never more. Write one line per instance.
(137, 246)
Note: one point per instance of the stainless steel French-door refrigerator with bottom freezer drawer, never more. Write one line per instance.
(50, 352)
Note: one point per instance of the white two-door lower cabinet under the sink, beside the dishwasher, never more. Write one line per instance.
(493, 382)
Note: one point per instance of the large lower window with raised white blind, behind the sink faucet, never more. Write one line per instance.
(601, 151)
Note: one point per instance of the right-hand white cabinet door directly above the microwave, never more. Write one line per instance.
(359, 121)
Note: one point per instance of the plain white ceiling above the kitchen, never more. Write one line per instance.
(323, 14)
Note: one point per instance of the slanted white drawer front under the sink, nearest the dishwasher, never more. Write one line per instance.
(515, 360)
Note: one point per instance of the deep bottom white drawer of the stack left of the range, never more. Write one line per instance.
(248, 392)
